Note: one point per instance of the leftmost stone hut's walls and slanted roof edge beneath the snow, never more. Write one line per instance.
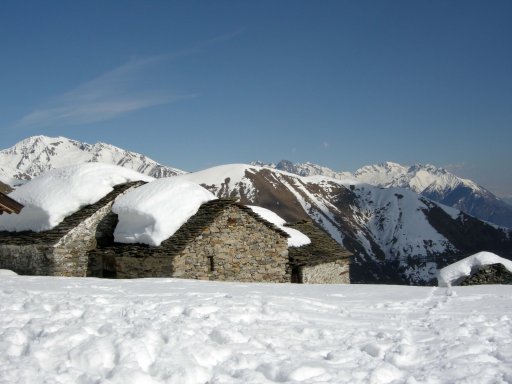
(63, 250)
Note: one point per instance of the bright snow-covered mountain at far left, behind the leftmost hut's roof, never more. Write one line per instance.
(37, 154)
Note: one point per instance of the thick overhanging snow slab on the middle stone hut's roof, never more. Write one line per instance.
(155, 211)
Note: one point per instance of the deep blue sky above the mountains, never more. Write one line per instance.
(194, 84)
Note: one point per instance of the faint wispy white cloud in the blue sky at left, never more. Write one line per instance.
(110, 95)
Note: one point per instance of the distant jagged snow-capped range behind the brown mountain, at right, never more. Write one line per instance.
(437, 184)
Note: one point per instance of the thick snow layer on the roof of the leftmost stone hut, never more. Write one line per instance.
(58, 193)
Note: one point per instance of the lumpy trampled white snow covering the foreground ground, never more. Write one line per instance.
(84, 330)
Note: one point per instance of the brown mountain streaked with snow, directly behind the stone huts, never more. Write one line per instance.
(397, 236)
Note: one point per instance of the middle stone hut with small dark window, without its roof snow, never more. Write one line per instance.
(224, 240)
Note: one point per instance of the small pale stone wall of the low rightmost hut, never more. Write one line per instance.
(336, 272)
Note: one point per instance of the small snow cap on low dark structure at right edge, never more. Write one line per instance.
(455, 272)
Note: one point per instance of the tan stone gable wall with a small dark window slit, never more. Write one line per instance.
(235, 247)
